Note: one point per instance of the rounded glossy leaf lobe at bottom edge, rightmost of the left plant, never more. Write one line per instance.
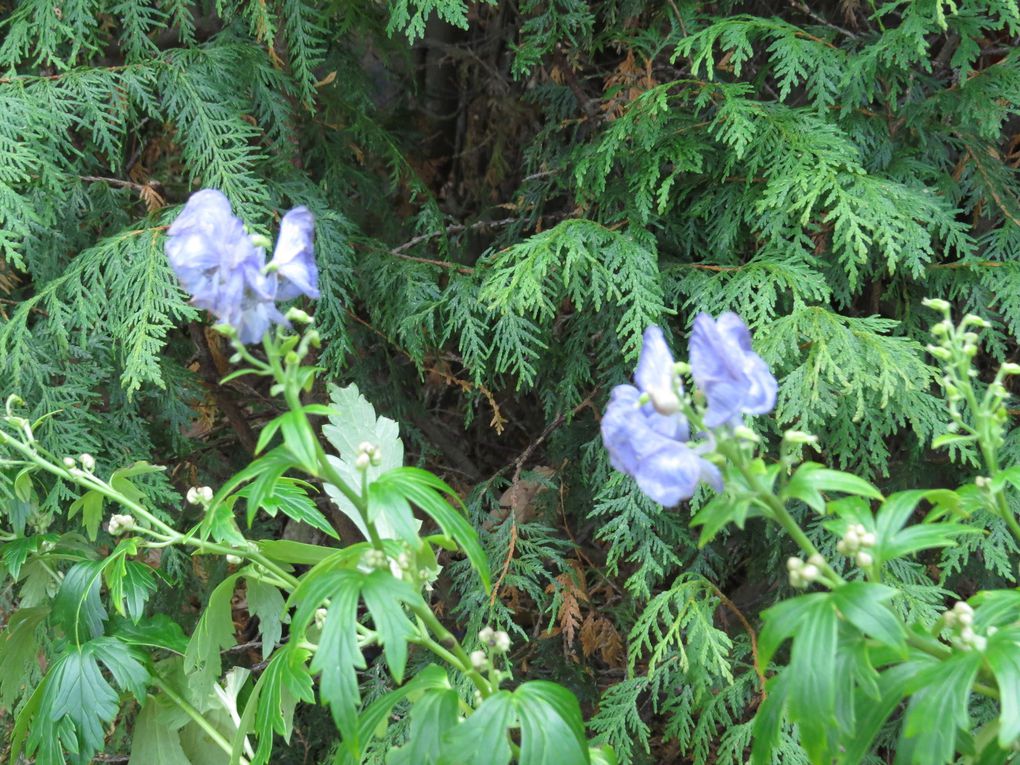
(552, 729)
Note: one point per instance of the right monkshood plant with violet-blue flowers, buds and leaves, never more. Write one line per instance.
(855, 656)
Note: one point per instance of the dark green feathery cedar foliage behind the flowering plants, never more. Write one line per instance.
(506, 195)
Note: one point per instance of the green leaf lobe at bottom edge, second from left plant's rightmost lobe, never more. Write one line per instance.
(483, 738)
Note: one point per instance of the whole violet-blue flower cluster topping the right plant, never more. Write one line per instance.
(645, 430)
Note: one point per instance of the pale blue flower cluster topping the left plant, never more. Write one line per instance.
(225, 270)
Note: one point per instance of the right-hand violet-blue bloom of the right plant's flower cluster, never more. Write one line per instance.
(734, 378)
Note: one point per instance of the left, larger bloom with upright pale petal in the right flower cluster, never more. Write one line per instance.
(649, 441)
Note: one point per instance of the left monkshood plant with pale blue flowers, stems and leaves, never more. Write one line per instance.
(339, 601)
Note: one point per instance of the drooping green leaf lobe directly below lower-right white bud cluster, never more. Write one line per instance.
(941, 693)
